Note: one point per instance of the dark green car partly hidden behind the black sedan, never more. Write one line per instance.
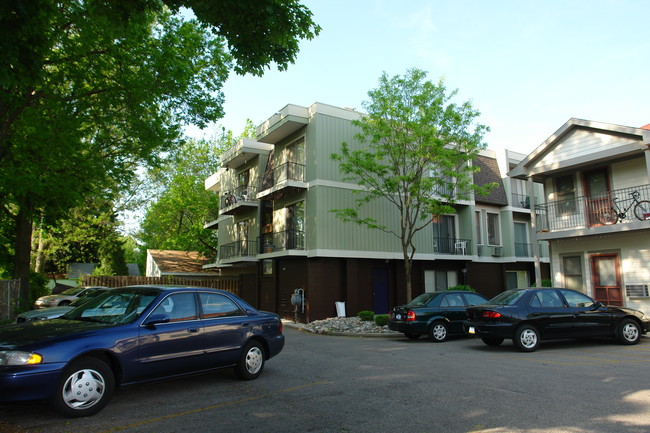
(437, 314)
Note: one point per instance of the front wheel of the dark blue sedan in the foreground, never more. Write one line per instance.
(85, 388)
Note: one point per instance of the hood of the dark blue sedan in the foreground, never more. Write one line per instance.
(28, 333)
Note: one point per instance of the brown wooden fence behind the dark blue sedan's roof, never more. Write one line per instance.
(228, 284)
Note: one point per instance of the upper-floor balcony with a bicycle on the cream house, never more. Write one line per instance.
(614, 211)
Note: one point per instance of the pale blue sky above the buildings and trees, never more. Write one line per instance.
(527, 66)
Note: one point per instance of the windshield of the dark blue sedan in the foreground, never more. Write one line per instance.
(117, 306)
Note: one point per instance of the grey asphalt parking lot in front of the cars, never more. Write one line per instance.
(349, 384)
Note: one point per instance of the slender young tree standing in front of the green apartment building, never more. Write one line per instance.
(415, 151)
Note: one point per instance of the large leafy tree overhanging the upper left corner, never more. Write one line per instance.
(90, 89)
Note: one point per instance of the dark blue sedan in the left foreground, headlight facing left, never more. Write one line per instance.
(129, 335)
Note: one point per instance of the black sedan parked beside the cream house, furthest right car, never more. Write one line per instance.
(527, 316)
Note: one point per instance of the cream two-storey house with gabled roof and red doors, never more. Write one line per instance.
(596, 217)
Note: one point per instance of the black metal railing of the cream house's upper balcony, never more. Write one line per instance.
(591, 211)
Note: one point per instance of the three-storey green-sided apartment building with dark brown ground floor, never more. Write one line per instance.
(277, 231)
